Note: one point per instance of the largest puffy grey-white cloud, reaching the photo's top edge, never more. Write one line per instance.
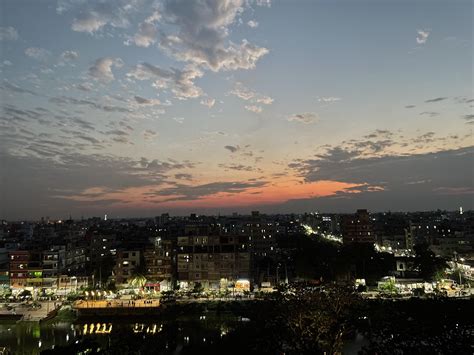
(202, 31)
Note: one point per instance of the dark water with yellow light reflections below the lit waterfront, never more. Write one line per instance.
(171, 336)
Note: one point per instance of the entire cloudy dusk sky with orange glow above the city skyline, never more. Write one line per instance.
(140, 107)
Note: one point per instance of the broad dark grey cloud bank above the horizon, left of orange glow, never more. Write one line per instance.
(50, 176)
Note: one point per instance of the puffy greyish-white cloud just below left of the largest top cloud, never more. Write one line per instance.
(180, 82)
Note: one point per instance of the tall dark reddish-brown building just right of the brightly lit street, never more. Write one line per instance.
(357, 228)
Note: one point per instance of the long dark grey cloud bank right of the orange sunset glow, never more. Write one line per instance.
(388, 178)
